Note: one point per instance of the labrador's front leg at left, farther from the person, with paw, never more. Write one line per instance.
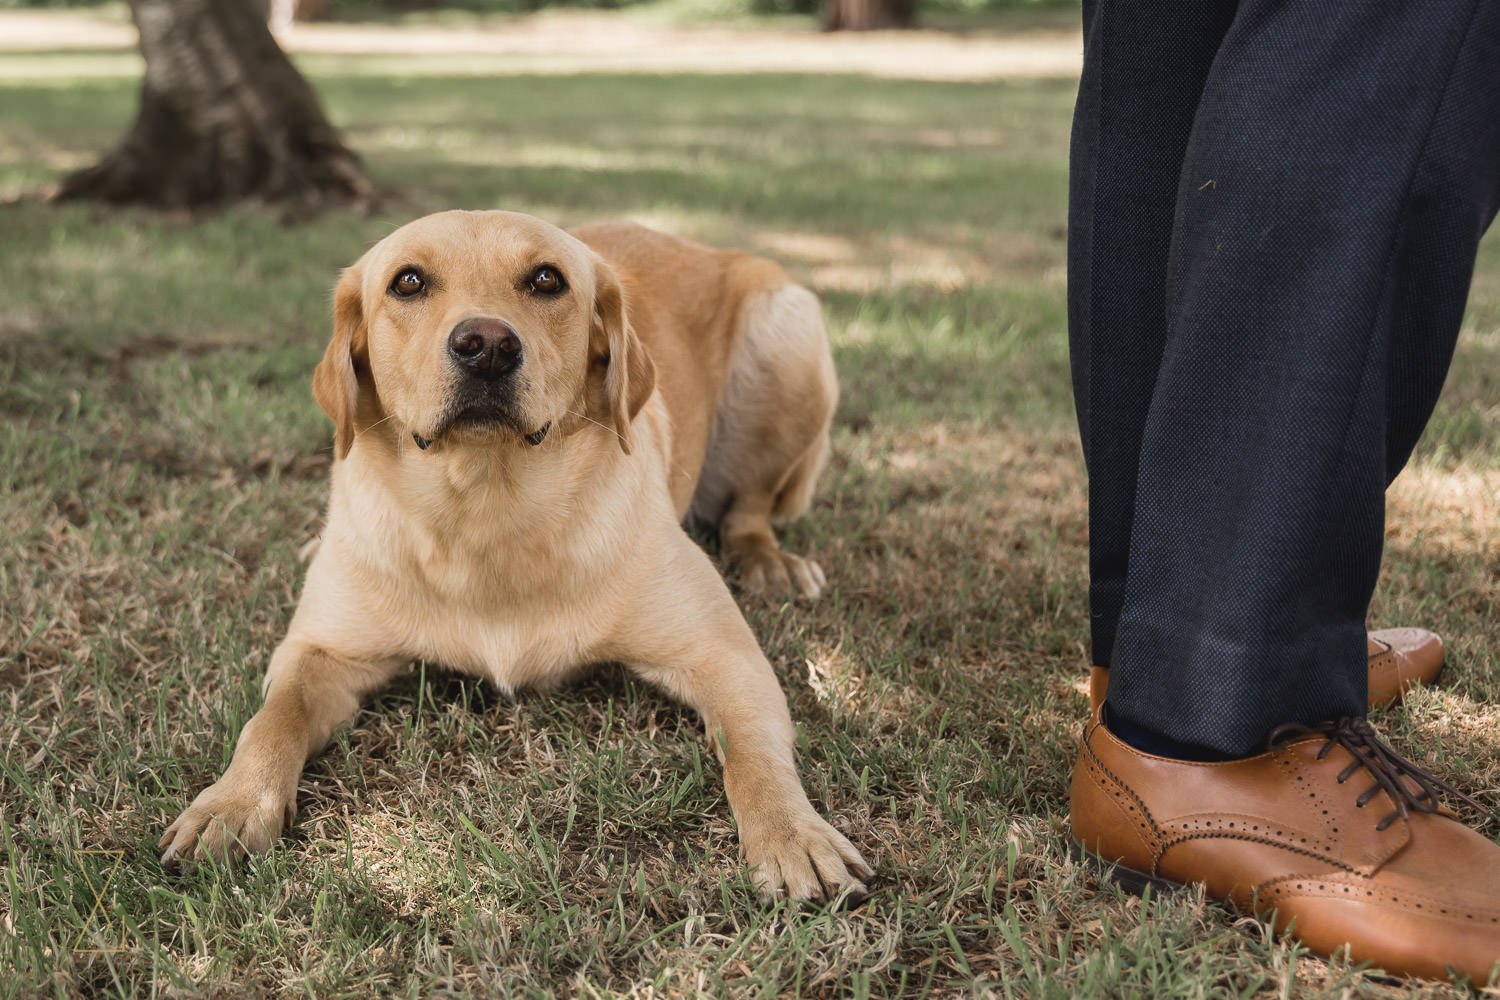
(310, 693)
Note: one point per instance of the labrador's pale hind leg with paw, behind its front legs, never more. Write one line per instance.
(770, 440)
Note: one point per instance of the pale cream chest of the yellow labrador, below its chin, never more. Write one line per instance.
(512, 582)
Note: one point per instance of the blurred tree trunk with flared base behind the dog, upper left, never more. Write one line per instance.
(224, 118)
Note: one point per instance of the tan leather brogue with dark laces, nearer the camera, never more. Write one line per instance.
(1330, 833)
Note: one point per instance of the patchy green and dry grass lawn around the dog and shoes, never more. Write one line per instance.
(163, 461)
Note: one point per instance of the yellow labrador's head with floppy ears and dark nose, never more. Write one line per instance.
(476, 326)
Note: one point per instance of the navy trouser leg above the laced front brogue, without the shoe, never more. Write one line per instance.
(1342, 169)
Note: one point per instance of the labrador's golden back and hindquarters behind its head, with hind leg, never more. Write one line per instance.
(748, 377)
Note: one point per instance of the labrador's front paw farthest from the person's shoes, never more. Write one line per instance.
(229, 819)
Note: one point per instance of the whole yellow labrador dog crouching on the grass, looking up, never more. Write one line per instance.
(523, 421)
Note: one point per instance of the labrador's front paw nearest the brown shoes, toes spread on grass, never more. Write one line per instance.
(805, 857)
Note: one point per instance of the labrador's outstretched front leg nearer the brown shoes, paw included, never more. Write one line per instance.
(688, 636)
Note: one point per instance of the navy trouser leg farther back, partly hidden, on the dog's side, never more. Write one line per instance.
(1144, 68)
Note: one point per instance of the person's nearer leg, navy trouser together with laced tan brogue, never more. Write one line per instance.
(1342, 170)
